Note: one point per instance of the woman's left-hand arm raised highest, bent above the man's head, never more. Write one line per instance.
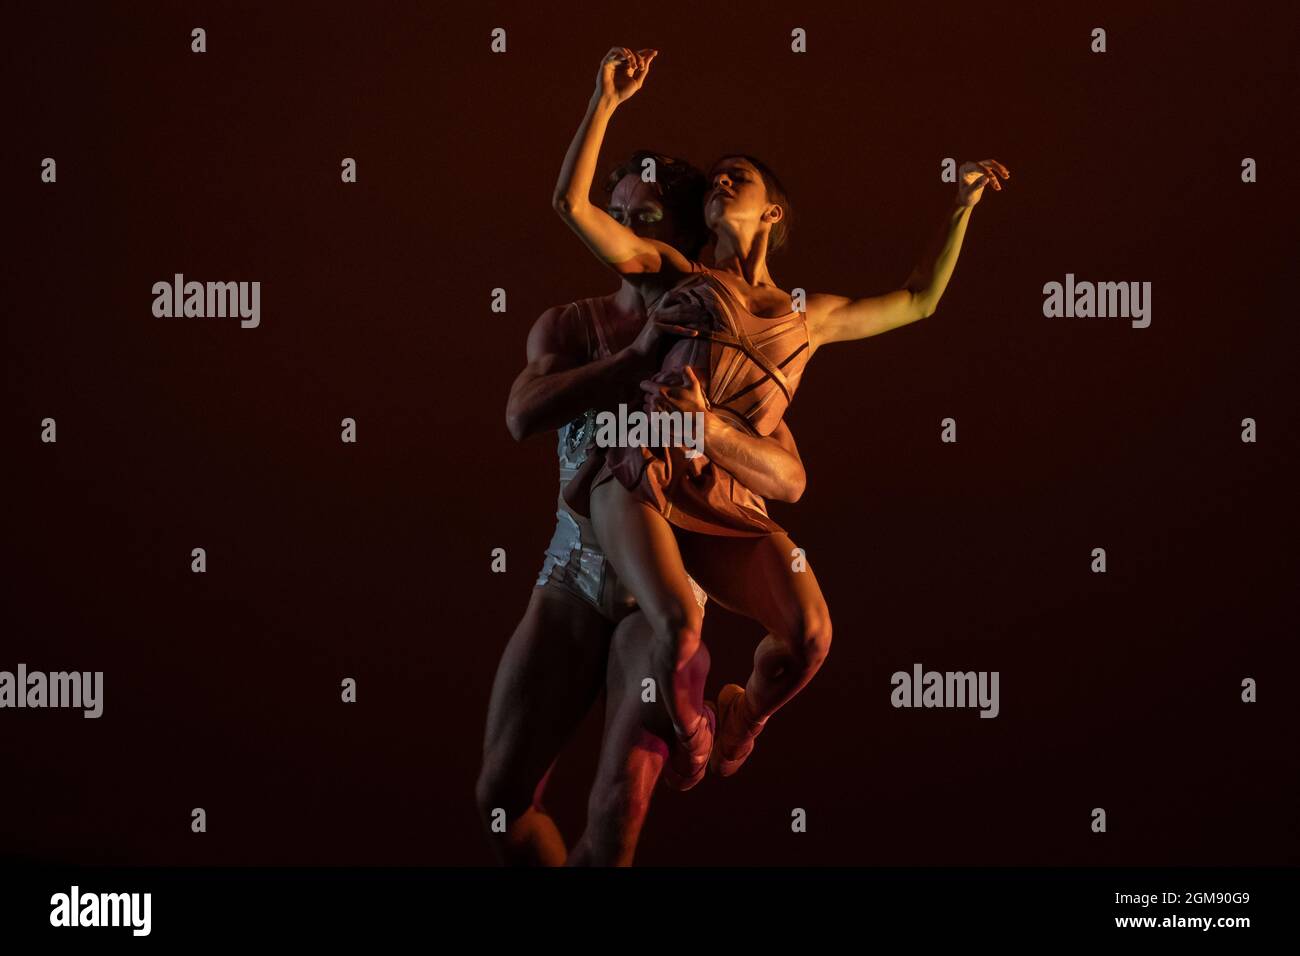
(622, 75)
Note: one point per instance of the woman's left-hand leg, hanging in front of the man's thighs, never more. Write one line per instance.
(644, 551)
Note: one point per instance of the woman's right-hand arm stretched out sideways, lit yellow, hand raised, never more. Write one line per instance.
(840, 319)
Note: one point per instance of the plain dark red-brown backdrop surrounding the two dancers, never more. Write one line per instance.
(372, 561)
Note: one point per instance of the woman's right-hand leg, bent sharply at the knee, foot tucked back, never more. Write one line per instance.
(755, 577)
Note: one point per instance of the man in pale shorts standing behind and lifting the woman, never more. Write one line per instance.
(582, 626)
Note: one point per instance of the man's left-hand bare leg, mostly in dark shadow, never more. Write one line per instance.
(549, 677)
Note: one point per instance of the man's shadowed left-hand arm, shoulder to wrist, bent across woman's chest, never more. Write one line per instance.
(560, 383)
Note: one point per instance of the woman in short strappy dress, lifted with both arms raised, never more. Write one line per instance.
(743, 353)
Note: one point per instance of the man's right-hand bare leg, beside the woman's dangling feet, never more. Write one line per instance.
(632, 751)
